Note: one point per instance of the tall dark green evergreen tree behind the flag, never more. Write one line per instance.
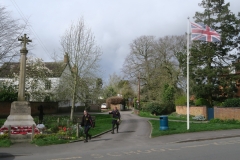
(210, 61)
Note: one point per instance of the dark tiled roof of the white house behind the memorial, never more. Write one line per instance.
(9, 68)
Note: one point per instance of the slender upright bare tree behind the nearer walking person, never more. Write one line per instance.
(83, 54)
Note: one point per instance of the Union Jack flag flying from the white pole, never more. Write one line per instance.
(204, 33)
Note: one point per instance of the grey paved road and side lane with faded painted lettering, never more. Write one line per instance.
(133, 141)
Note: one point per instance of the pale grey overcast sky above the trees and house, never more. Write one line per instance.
(114, 23)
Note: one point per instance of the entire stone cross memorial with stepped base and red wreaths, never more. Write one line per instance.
(20, 124)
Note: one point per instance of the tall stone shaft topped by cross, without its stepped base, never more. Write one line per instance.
(21, 90)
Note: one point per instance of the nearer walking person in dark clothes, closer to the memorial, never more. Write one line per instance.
(87, 122)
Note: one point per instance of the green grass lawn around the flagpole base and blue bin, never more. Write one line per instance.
(181, 127)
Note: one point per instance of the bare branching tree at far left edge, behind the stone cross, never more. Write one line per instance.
(10, 30)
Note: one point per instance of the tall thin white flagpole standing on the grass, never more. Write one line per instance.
(188, 74)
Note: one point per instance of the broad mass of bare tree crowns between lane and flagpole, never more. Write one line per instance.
(157, 63)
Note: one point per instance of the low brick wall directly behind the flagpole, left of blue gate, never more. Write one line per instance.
(193, 110)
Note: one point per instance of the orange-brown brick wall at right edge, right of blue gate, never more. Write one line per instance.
(227, 113)
